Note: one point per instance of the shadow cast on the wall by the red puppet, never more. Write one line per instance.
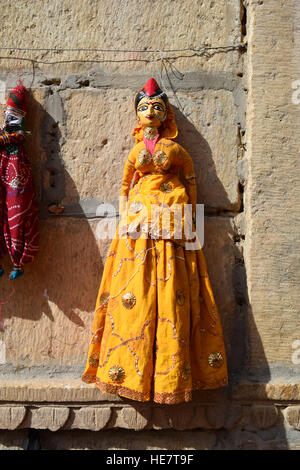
(65, 275)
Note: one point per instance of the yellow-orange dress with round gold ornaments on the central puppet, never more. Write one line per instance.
(156, 332)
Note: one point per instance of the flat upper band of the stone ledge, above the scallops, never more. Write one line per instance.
(75, 391)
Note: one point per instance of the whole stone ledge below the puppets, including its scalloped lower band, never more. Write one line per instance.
(57, 405)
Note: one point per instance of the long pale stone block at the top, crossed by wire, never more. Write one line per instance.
(129, 26)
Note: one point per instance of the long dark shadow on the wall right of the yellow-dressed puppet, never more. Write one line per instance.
(224, 258)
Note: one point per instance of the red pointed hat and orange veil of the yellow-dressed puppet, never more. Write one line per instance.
(168, 127)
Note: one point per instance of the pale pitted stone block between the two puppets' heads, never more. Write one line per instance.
(98, 140)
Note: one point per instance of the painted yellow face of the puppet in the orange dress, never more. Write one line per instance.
(151, 112)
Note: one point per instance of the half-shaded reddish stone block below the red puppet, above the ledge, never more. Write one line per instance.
(52, 324)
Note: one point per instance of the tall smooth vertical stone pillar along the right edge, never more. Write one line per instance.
(272, 193)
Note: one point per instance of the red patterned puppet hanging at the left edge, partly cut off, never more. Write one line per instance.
(18, 203)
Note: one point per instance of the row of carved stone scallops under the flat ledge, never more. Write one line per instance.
(95, 417)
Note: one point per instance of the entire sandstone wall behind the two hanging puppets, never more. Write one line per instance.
(237, 119)
